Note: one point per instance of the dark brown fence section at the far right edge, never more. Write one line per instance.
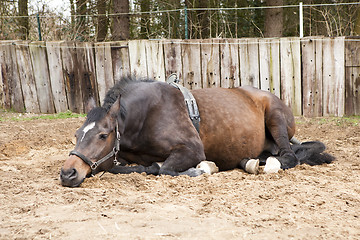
(352, 76)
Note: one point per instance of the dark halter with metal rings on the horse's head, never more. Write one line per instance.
(93, 165)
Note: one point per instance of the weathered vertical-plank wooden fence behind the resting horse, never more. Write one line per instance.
(315, 76)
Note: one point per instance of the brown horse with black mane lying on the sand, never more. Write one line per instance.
(146, 123)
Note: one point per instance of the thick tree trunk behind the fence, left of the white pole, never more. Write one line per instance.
(274, 19)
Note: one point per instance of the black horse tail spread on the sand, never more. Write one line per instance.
(312, 153)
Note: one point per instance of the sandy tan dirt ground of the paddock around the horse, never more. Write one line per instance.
(321, 202)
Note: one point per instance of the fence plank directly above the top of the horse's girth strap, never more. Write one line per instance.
(173, 63)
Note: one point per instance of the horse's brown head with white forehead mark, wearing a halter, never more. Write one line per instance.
(97, 143)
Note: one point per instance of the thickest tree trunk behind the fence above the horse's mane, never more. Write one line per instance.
(120, 29)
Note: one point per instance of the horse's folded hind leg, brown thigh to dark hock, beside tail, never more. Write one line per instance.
(279, 128)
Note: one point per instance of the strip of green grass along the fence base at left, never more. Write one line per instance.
(6, 115)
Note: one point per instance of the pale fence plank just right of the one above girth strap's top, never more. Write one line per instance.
(190, 52)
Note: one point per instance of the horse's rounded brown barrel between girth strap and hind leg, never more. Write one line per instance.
(232, 124)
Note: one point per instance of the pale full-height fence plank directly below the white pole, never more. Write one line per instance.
(312, 80)
